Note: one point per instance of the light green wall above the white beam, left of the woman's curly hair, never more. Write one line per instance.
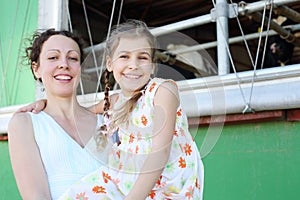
(19, 19)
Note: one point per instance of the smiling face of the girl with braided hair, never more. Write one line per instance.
(131, 64)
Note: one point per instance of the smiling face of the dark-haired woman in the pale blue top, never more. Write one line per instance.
(59, 66)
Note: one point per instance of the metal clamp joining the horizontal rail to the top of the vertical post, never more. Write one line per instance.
(224, 10)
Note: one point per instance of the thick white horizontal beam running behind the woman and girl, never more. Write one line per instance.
(274, 89)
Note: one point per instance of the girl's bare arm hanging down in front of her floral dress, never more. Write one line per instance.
(166, 102)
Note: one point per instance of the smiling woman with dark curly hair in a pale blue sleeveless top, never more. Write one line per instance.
(47, 149)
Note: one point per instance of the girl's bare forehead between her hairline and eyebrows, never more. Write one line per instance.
(133, 44)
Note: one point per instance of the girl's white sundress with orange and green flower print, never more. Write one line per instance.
(182, 177)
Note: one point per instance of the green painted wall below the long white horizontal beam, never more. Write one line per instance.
(249, 162)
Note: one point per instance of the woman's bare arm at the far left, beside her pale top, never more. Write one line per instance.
(26, 162)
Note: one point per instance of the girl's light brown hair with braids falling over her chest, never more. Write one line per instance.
(131, 29)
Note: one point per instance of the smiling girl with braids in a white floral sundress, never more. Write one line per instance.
(156, 157)
